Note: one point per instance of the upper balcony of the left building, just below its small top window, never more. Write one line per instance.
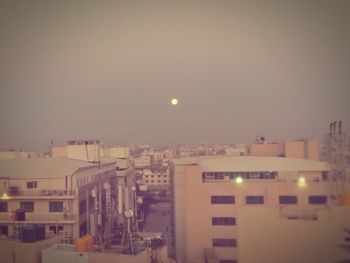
(17, 193)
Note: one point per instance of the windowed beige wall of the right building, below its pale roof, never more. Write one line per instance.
(207, 205)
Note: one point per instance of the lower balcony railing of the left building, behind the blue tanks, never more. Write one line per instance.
(52, 217)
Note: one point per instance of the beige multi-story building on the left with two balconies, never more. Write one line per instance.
(60, 193)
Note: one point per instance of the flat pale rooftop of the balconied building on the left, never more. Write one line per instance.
(44, 167)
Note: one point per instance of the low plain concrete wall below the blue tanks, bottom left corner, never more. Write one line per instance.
(17, 252)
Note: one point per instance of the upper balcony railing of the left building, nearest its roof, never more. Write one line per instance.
(38, 192)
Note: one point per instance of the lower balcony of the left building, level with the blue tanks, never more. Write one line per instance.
(39, 218)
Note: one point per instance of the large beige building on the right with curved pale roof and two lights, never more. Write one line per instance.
(218, 203)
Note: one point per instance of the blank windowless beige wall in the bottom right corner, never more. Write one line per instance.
(266, 237)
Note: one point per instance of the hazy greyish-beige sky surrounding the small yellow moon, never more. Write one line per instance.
(107, 70)
